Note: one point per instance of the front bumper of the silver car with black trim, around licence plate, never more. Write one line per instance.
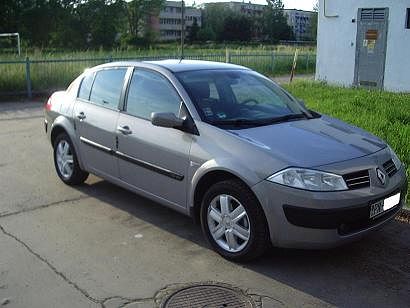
(314, 220)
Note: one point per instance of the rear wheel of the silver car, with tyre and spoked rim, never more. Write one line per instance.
(66, 162)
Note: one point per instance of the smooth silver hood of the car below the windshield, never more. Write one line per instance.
(310, 143)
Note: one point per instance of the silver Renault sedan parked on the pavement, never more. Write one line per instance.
(228, 147)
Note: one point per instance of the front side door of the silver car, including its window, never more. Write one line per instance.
(153, 159)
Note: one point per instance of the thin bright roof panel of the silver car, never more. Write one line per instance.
(175, 65)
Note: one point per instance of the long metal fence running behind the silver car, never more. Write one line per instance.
(28, 77)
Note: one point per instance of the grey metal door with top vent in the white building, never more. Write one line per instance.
(371, 47)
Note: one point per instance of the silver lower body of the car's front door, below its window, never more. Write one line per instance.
(154, 159)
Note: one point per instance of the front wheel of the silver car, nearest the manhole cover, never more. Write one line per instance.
(252, 225)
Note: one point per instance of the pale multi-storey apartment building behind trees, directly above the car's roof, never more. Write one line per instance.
(170, 19)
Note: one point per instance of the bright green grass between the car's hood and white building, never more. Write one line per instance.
(386, 115)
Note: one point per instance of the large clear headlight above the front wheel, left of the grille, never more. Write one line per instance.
(309, 179)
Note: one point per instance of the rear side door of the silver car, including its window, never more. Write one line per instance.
(96, 113)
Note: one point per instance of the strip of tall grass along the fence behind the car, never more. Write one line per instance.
(57, 75)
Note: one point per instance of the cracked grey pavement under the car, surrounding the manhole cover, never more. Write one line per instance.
(99, 245)
